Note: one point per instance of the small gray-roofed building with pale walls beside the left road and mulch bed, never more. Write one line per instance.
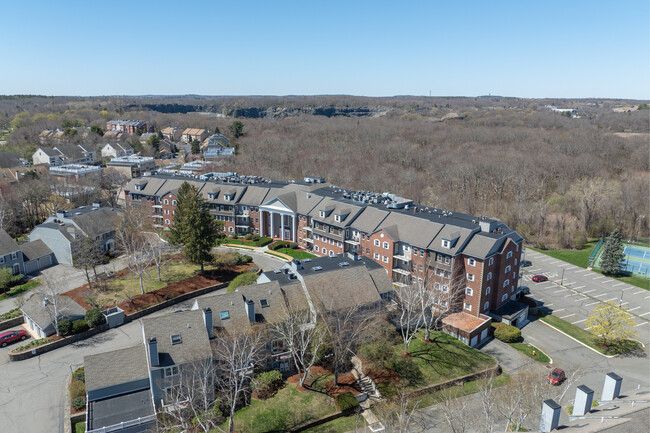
(39, 313)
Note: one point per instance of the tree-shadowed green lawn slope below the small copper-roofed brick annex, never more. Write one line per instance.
(444, 359)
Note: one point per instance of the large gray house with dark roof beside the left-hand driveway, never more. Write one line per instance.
(65, 231)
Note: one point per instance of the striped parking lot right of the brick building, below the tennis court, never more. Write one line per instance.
(572, 292)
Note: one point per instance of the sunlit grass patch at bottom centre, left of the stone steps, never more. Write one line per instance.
(287, 409)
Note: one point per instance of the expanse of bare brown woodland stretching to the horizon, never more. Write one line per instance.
(556, 179)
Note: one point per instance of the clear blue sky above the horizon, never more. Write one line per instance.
(373, 48)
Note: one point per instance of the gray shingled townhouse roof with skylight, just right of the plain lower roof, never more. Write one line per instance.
(195, 345)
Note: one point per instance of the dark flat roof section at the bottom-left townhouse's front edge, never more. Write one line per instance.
(123, 408)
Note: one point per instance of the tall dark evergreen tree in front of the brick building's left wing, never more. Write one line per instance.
(193, 227)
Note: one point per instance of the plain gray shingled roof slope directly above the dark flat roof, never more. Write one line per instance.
(115, 367)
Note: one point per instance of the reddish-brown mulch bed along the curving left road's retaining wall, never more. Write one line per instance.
(172, 290)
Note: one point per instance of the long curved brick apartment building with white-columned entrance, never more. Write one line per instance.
(472, 260)
